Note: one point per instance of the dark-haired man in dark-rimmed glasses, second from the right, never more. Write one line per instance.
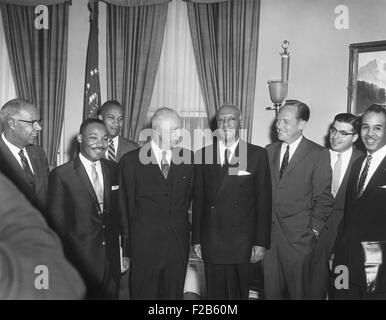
(343, 133)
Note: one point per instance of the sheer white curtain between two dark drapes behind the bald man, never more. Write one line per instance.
(177, 85)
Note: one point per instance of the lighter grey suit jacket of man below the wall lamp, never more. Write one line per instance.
(302, 198)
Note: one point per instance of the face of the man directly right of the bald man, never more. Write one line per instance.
(228, 123)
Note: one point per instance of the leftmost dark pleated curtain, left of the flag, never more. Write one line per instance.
(39, 64)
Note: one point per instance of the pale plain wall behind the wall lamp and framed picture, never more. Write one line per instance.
(319, 60)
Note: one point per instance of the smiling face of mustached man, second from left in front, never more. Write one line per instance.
(94, 141)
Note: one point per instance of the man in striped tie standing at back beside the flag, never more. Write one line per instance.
(112, 115)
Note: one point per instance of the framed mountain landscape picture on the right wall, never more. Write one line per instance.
(367, 76)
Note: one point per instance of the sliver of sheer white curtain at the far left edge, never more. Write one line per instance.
(7, 88)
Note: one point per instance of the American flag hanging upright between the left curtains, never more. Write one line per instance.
(92, 97)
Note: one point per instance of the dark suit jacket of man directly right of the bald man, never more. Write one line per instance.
(231, 212)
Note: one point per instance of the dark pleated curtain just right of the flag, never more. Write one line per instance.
(134, 42)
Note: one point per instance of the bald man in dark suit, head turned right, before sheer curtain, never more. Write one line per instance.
(156, 192)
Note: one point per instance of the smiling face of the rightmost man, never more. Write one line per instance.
(373, 131)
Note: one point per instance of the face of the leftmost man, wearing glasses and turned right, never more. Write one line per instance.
(23, 134)
